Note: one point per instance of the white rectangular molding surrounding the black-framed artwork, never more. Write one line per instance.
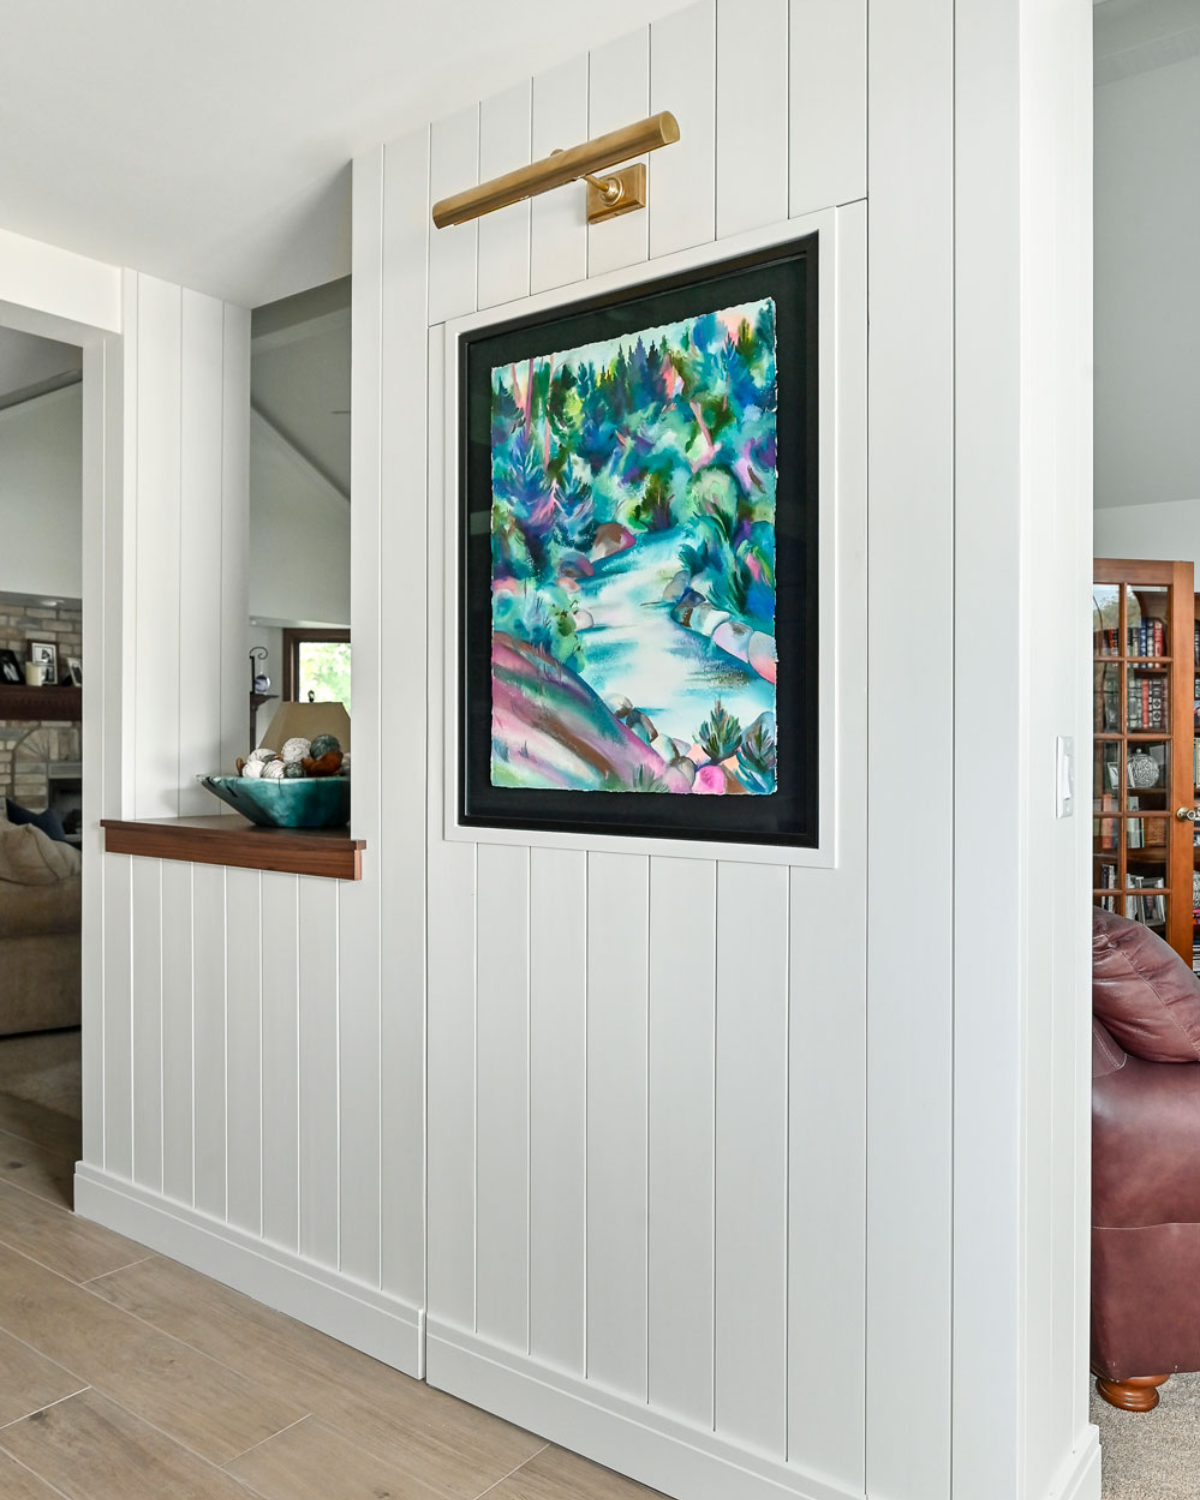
(832, 419)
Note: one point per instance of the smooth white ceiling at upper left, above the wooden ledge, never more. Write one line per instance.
(208, 142)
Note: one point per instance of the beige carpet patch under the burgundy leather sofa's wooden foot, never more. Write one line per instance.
(1156, 1456)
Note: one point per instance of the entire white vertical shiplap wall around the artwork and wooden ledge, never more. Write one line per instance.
(650, 1217)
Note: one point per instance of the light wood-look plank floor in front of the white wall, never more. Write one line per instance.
(125, 1376)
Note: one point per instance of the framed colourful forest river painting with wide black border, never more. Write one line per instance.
(638, 557)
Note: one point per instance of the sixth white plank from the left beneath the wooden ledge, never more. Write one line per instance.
(281, 1061)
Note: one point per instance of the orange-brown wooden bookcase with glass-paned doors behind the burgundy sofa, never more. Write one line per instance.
(1144, 785)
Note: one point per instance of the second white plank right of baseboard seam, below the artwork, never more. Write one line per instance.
(503, 1097)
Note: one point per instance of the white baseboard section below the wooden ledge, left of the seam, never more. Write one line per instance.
(356, 1315)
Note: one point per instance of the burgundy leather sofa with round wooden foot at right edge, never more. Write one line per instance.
(1145, 1163)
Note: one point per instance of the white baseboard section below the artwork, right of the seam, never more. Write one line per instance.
(623, 1435)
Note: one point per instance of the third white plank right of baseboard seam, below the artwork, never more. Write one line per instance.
(559, 1010)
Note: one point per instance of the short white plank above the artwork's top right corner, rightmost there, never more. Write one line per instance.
(829, 116)
